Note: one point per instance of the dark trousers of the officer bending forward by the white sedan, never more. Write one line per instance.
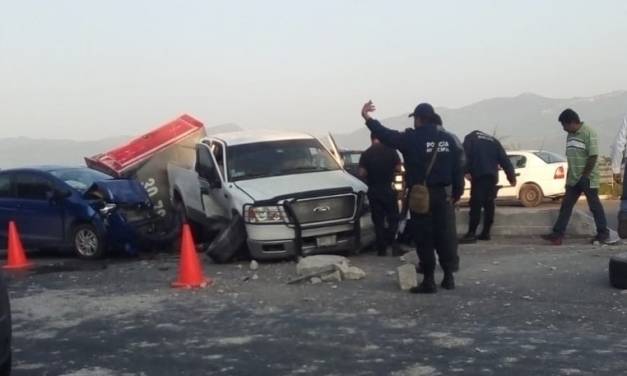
(483, 192)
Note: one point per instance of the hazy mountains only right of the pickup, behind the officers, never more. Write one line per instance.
(527, 121)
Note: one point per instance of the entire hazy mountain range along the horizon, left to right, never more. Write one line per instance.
(527, 121)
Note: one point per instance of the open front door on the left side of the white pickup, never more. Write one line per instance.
(210, 182)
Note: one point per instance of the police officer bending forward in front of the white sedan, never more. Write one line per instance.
(484, 154)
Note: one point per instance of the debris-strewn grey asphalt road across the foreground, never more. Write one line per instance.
(518, 310)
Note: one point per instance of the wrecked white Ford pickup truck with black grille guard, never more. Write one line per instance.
(285, 191)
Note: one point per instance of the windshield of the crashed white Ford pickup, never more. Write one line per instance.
(265, 159)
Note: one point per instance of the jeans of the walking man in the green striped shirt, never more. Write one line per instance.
(569, 201)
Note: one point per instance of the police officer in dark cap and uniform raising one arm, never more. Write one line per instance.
(432, 230)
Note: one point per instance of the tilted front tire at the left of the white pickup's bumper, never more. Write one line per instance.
(230, 240)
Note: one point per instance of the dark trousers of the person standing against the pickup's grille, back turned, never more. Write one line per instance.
(385, 215)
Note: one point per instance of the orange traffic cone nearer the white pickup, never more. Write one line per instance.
(190, 270)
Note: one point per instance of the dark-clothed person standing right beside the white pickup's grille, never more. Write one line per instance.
(377, 166)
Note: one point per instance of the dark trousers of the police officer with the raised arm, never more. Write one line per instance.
(436, 232)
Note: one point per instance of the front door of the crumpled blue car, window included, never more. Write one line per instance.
(39, 218)
